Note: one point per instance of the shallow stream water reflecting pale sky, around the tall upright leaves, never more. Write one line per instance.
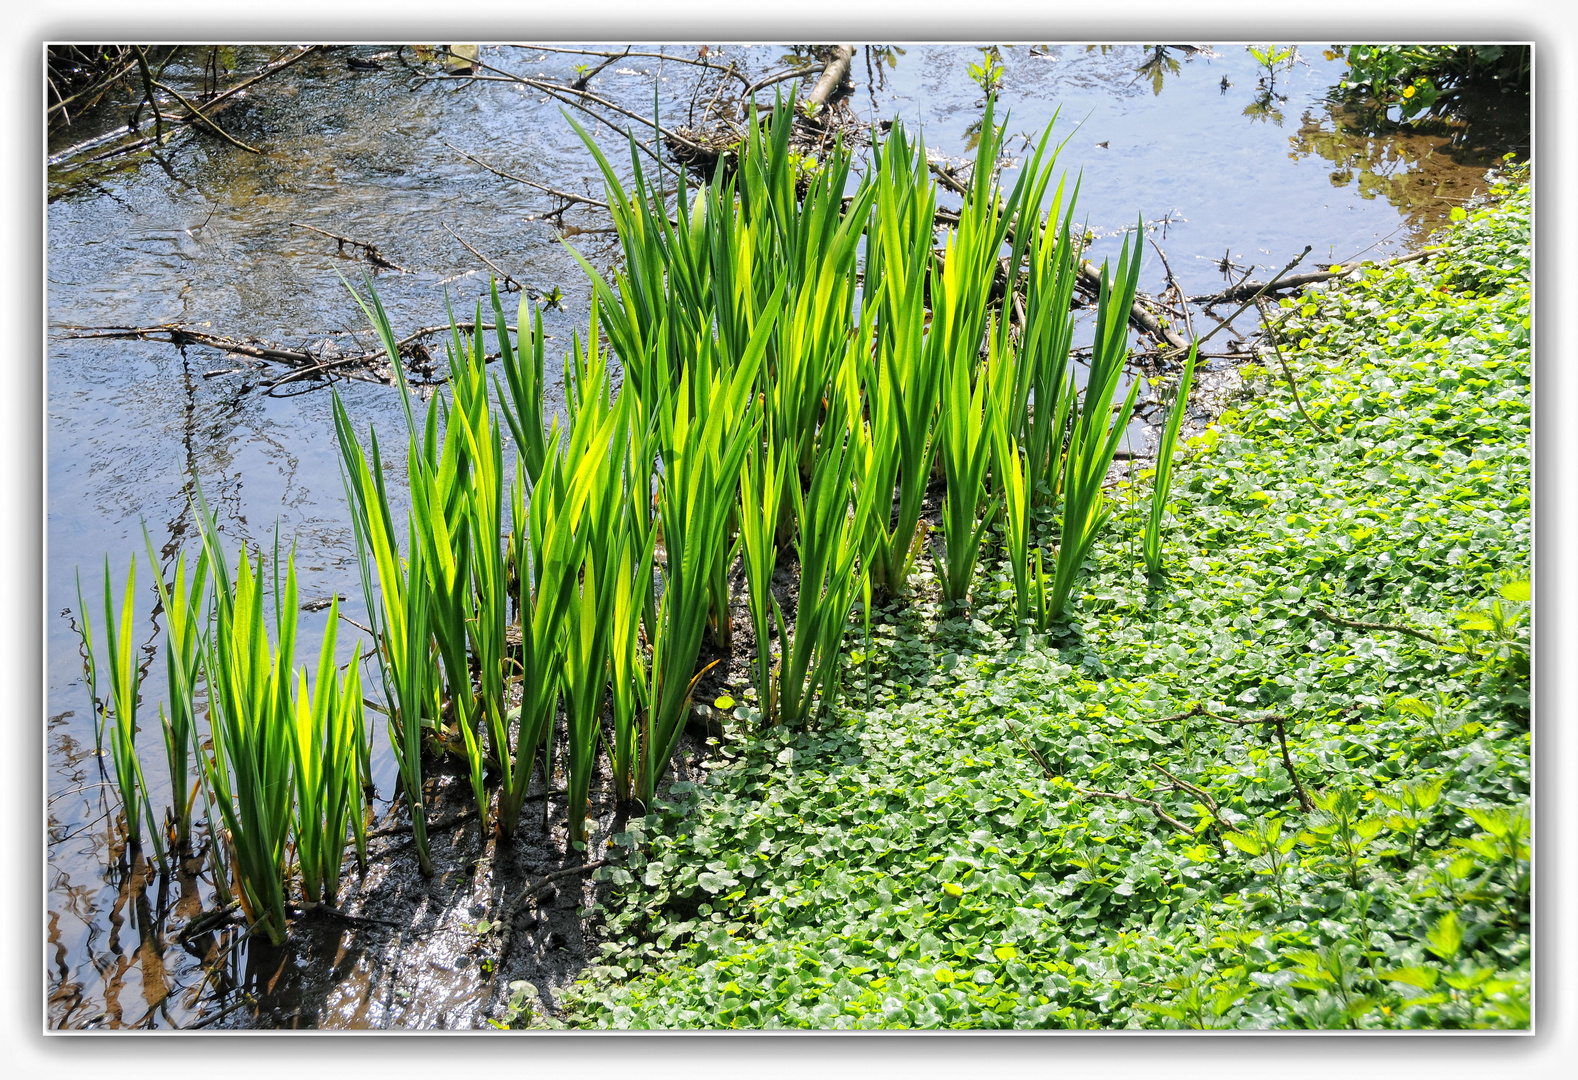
(203, 233)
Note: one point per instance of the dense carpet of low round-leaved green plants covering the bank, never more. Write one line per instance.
(978, 841)
